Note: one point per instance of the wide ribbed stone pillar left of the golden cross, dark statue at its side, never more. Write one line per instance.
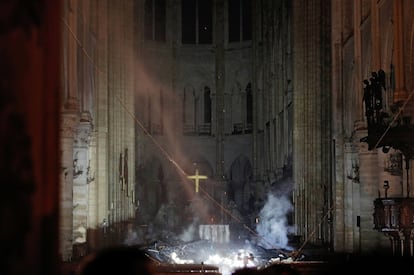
(119, 110)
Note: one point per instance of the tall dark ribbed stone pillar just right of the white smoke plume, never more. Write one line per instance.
(312, 120)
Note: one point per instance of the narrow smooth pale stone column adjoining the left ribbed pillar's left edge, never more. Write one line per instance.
(98, 188)
